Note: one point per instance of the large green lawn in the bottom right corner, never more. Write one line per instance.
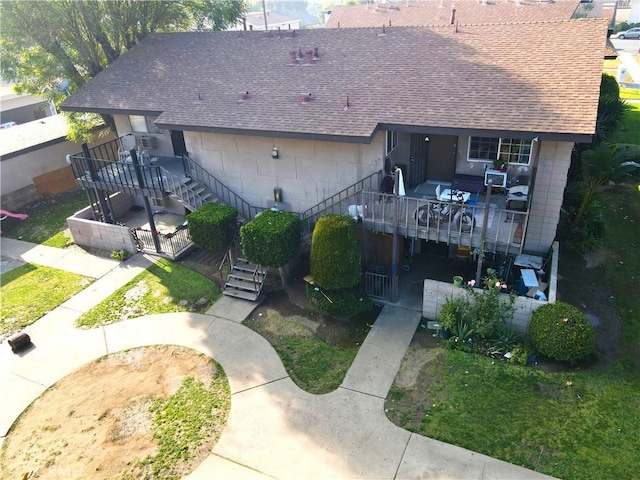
(573, 425)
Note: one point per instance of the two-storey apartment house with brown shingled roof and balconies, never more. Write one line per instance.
(307, 118)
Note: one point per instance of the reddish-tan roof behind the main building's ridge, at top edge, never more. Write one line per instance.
(439, 12)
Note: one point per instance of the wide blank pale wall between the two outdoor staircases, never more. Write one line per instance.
(307, 171)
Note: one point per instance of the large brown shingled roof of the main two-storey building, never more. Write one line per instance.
(542, 78)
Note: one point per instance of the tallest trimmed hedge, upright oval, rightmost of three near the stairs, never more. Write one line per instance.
(335, 253)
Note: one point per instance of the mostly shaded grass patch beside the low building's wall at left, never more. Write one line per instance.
(47, 221)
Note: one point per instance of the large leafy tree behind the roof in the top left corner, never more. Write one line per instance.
(43, 42)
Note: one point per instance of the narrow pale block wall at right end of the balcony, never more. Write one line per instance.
(551, 179)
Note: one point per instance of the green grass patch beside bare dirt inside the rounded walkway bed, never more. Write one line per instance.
(183, 423)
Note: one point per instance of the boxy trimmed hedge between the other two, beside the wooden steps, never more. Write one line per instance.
(271, 239)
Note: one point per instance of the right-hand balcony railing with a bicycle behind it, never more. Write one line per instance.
(448, 222)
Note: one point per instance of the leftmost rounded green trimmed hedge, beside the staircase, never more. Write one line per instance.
(213, 226)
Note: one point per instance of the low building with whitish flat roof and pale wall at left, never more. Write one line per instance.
(33, 163)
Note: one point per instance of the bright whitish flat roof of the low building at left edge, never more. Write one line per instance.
(22, 137)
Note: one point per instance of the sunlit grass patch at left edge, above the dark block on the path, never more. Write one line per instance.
(29, 291)
